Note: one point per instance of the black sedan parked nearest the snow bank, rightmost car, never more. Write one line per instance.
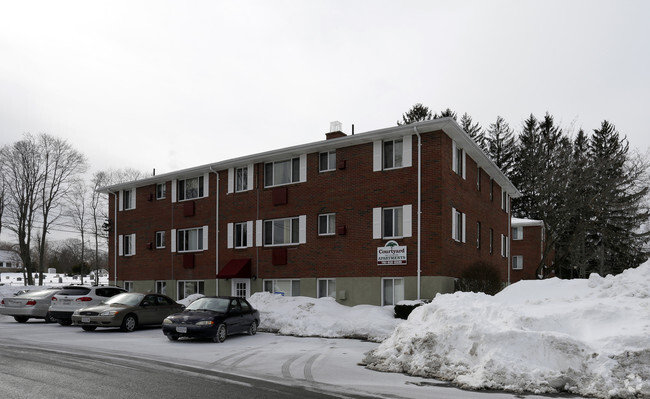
(214, 318)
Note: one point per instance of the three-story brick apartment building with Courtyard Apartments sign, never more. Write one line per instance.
(369, 218)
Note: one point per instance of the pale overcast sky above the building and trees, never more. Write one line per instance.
(175, 84)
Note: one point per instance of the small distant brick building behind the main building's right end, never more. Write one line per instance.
(528, 241)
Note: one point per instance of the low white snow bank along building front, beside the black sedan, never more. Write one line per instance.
(323, 317)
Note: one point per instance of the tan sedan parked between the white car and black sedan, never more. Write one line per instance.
(127, 311)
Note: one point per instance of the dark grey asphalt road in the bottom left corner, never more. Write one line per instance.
(32, 373)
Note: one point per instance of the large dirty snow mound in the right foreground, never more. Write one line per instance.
(589, 337)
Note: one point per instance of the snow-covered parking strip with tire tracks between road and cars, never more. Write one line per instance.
(326, 364)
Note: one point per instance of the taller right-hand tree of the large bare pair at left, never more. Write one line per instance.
(61, 165)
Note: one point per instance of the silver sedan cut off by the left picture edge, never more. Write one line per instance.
(29, 305)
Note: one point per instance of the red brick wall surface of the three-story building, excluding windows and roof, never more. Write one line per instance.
(351, 193)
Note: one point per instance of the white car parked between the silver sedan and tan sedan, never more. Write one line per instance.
(74, 297)
